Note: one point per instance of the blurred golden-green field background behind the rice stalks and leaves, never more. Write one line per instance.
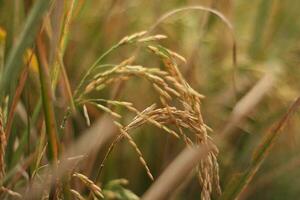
(267, 33)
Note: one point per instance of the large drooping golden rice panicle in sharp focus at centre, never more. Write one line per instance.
(178, 113)
